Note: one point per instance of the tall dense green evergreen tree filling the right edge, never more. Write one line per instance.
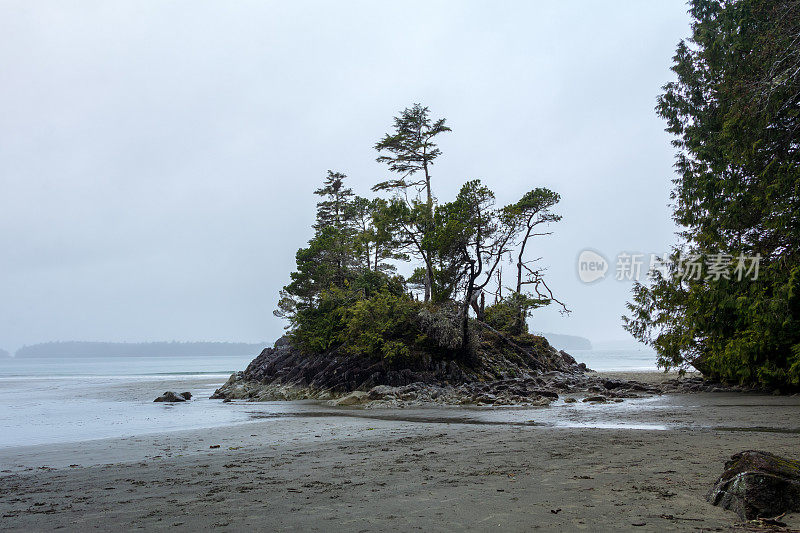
(735, 112)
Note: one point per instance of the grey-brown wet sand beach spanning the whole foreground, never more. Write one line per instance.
(640, 465)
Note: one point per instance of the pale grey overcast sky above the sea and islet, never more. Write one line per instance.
(157, 159)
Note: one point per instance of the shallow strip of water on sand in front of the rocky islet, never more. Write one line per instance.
(753, 412)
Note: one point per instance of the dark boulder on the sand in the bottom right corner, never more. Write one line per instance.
(757, 484)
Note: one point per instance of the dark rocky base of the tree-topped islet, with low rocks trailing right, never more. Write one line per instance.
(504, 372)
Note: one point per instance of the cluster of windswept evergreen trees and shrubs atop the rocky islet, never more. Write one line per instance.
(346, 290)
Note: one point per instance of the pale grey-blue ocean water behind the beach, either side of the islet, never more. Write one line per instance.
(54, 400)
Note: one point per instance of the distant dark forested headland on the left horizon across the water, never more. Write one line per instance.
(137, 349)
